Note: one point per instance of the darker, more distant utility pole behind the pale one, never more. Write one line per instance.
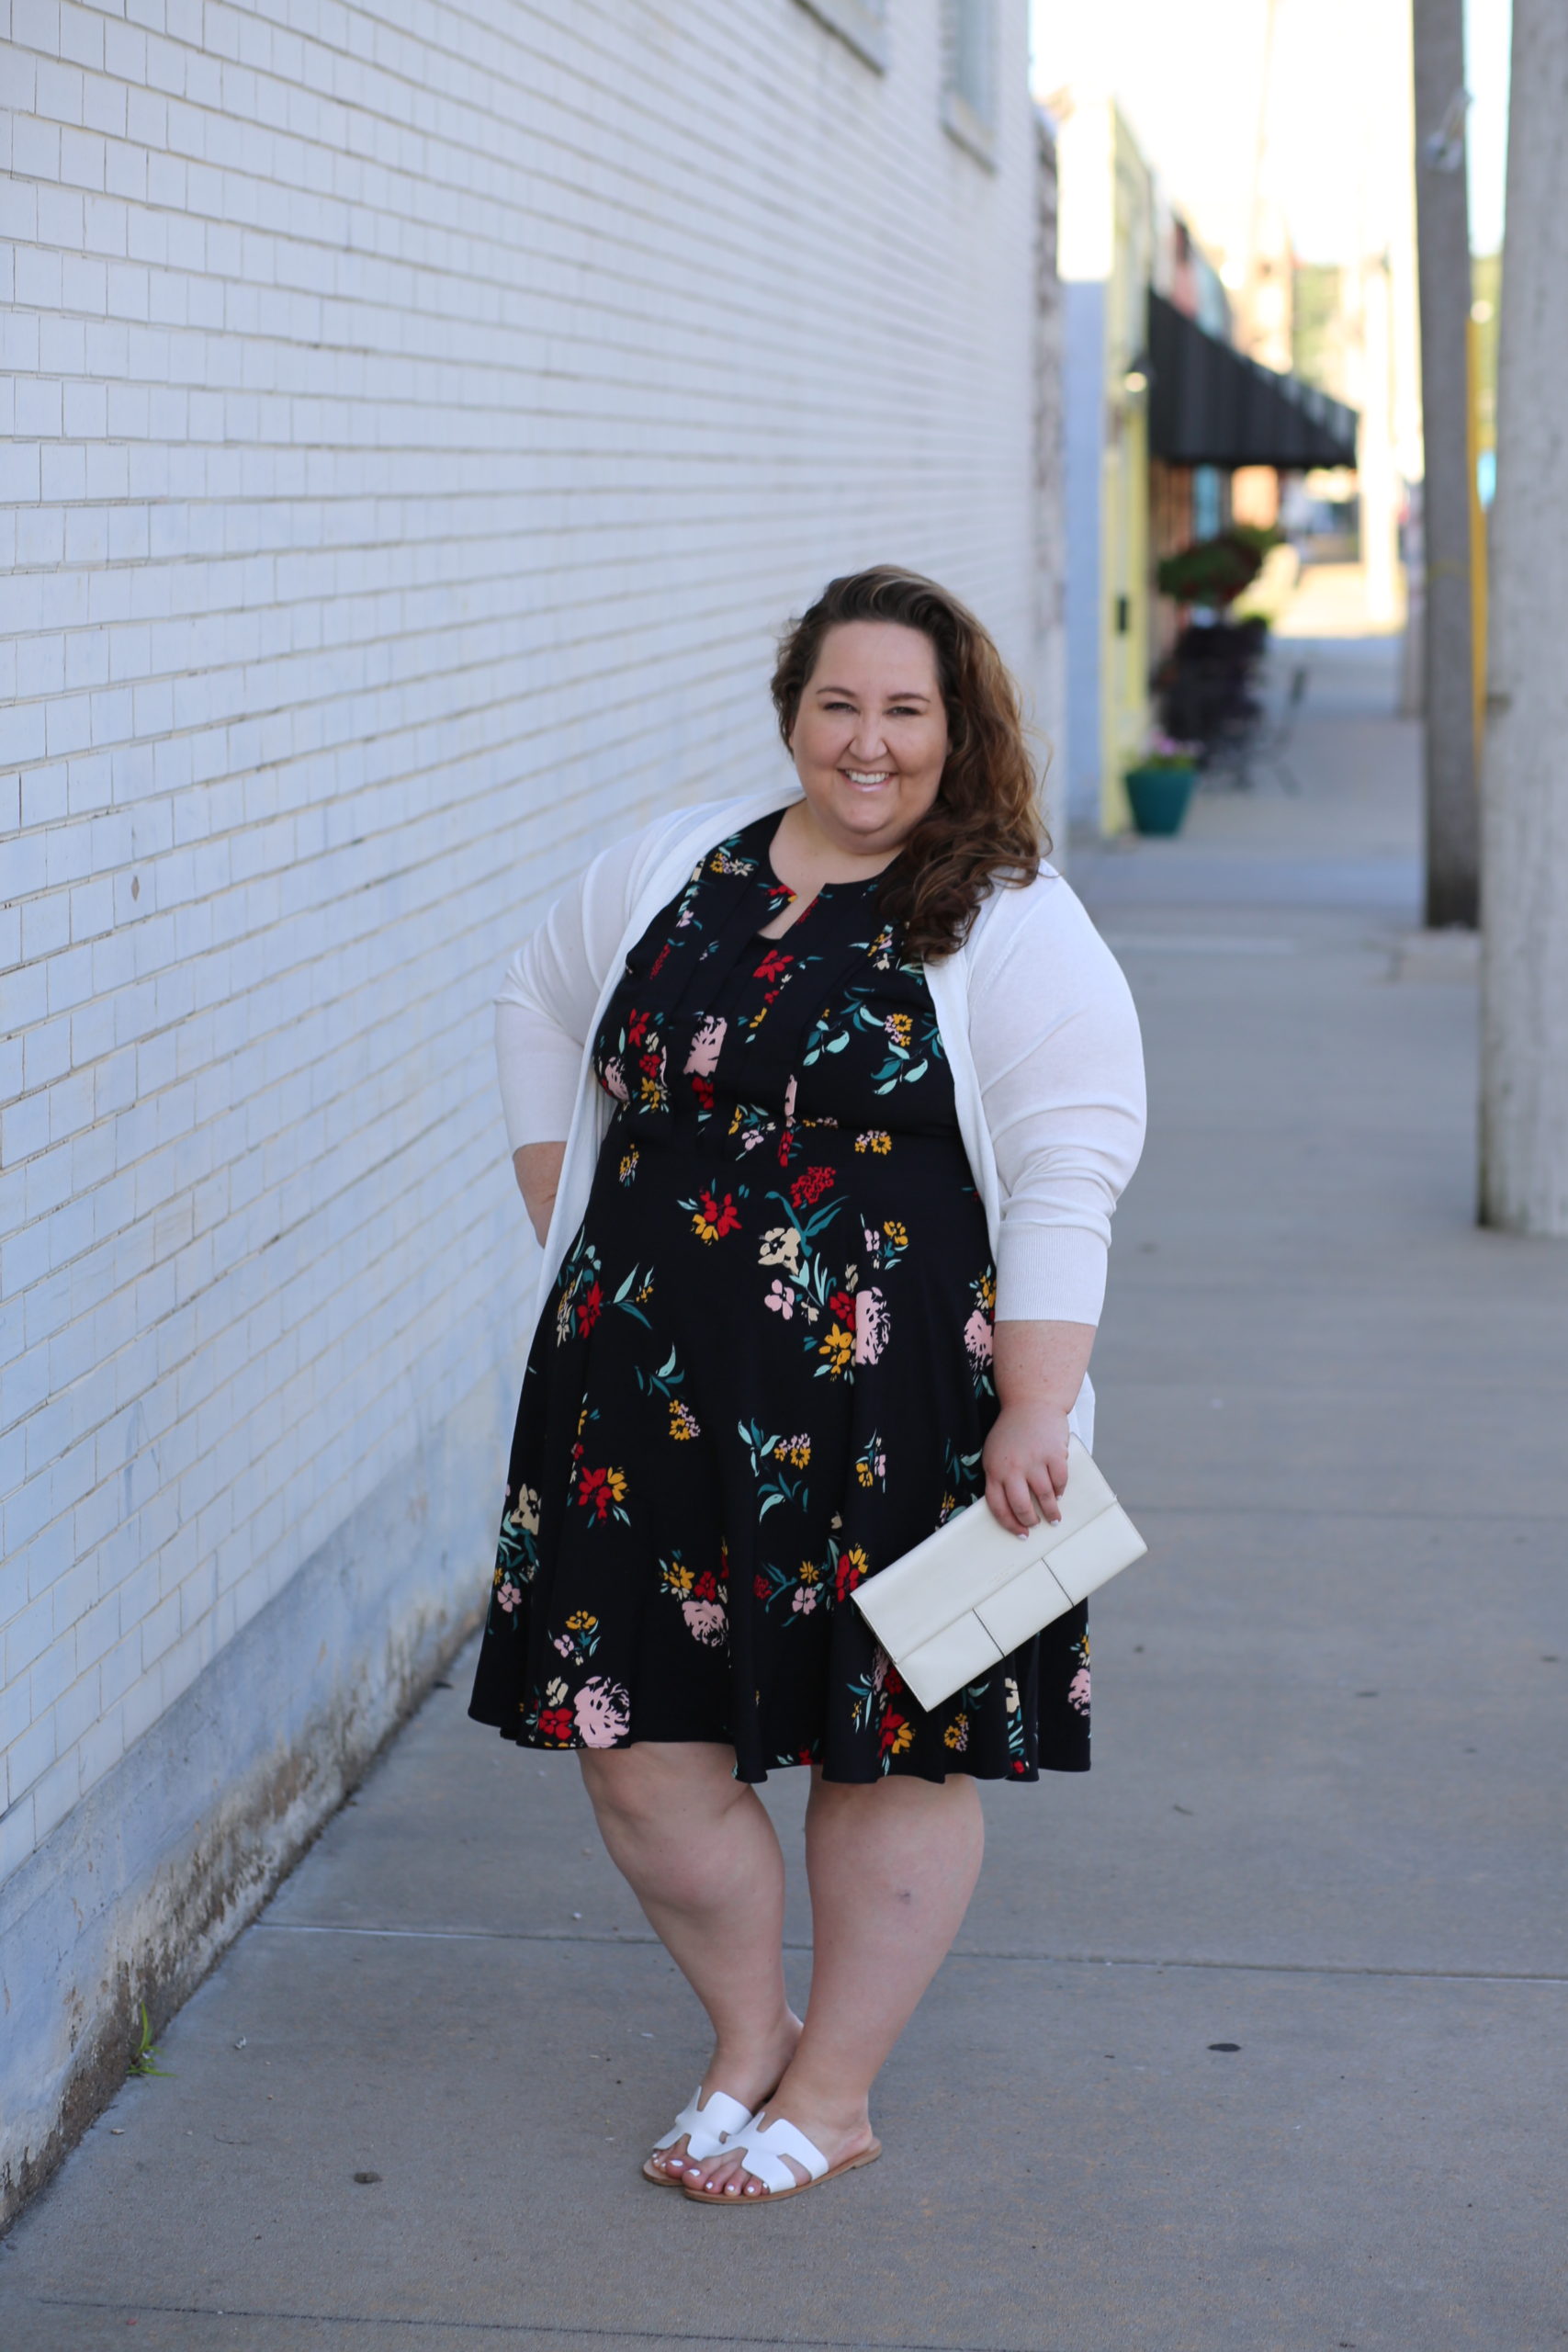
(1442, 232)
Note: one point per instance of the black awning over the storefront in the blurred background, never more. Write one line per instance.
(1212, 406)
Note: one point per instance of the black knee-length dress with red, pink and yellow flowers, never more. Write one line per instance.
(765, 1368)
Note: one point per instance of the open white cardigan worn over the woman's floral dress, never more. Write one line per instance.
(1036, 1017)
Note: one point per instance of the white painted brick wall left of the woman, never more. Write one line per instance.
(417, 422)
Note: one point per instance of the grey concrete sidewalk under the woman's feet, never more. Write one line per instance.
(1257, 2036)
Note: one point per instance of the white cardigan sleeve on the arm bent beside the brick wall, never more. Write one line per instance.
(551, 994)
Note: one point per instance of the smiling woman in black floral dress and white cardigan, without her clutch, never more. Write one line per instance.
(822, 1104)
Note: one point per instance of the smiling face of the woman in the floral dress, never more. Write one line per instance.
(871, 735)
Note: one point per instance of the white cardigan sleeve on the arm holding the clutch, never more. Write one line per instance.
(1059, 1062)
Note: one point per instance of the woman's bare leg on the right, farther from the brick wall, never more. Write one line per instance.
(892, 1871)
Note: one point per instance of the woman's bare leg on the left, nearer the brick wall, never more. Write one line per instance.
(704, 1862)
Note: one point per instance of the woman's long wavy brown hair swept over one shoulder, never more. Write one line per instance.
(984, 827)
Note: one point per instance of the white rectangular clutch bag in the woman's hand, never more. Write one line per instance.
(970, 1596)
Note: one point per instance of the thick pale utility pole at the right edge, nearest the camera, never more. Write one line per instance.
(1525, 949)
